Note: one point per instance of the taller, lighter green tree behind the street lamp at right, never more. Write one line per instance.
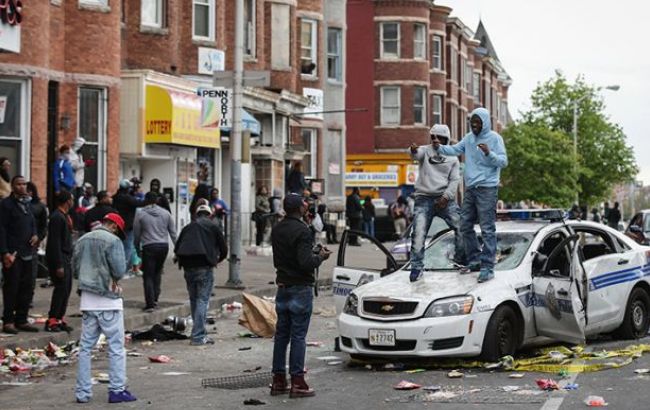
(604, 157)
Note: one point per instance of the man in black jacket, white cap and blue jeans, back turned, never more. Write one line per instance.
(199, 248)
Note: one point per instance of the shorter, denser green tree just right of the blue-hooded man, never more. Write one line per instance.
(540, 165)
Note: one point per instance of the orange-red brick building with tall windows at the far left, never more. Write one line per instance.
(56, 86)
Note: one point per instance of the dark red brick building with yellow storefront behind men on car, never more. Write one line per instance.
(417, 66)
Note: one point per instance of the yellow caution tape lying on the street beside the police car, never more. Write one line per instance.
(550, 360)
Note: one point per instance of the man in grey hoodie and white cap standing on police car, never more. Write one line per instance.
(435, 195)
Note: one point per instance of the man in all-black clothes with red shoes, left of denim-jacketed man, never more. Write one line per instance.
(58, 254)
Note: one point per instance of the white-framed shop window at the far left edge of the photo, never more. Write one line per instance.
(12, 125)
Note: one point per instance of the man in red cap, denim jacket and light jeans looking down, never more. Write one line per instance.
(98, 263)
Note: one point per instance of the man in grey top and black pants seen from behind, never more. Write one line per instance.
(151, 226)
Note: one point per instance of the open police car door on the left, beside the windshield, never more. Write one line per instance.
(351, 272)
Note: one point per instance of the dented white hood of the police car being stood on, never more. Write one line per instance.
(433, 285)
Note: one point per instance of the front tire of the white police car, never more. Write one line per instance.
(502, 335)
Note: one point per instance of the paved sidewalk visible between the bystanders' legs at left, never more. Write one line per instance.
(257, 275)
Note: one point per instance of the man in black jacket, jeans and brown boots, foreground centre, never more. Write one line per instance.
(295, 261)
